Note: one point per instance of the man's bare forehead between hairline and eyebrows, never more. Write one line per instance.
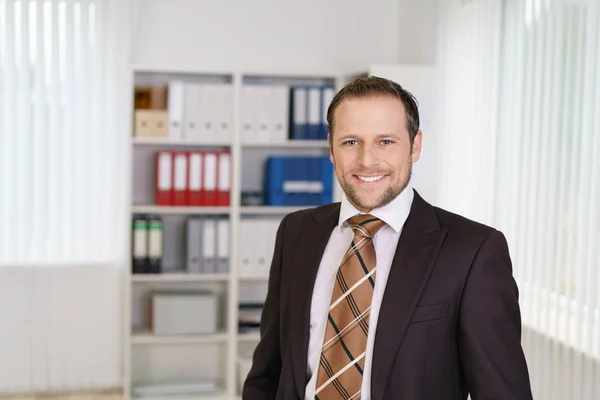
(371, 112)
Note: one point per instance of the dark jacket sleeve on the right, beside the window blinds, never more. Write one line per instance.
(490, 327)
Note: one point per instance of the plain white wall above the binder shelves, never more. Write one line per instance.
(291, 35)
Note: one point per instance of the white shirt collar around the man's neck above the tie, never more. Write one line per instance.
(393, 214)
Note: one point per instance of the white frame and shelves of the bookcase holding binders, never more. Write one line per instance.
(229, 341)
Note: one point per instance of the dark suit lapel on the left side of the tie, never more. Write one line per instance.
(308, 256)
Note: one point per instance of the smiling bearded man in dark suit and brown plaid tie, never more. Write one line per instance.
(385, 296)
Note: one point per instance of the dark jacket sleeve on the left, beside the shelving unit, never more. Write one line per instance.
(263, 379)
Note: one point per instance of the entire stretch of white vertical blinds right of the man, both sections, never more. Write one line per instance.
(522, 153)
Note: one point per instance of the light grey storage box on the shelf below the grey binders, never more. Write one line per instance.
(183, 313)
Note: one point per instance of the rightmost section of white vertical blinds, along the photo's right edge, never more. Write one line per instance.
(548, 186)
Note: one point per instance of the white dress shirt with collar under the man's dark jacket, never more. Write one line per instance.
(394, 214)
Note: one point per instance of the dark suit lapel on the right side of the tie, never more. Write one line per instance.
(415, 255)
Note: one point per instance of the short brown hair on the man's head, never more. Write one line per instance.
(374, 85)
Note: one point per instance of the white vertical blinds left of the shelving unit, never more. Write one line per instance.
(62, 147)
